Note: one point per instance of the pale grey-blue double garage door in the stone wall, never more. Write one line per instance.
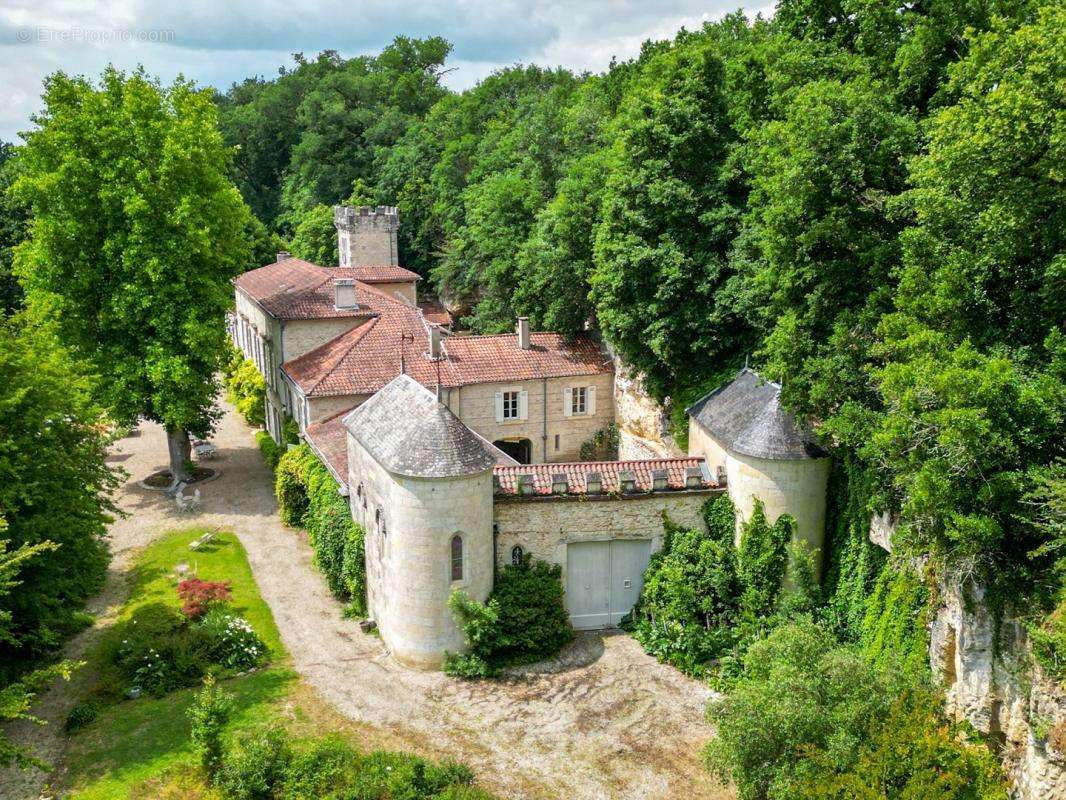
(604, 581)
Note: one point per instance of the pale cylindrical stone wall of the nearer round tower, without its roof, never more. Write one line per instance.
(410, 524)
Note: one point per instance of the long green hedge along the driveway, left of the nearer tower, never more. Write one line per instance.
(309, 498)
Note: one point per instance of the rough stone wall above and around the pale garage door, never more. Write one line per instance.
(544, 525)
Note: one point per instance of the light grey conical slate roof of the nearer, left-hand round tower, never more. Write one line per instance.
(409, 433)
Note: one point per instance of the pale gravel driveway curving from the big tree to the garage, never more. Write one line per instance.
(607, 722)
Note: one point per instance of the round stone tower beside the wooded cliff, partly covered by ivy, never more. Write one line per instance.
(764, 454)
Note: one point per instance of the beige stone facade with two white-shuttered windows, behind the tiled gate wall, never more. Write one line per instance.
(555, 437)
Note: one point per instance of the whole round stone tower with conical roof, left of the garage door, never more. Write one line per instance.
(422, 485)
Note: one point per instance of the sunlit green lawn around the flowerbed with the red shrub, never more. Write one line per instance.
(137, 740)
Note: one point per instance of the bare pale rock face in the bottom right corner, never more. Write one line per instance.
(998, 689)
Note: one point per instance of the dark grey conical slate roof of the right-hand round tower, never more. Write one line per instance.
(747, 417)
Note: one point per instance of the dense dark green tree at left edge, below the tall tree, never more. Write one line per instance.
(55, 488)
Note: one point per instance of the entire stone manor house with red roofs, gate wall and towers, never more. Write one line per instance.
(459, 454)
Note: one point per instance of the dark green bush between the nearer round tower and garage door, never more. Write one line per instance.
(525, 620)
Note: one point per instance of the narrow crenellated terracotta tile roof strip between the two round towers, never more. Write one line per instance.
(677, 473)
